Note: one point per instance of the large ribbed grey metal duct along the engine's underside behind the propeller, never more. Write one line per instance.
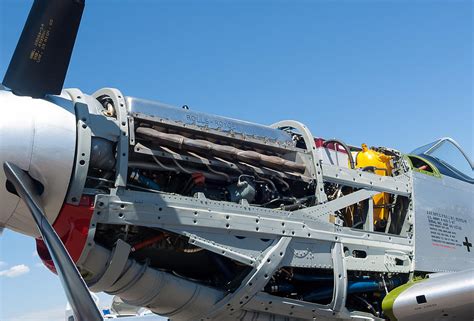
(113, 272)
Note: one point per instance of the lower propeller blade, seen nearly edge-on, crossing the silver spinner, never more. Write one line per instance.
(82, 304)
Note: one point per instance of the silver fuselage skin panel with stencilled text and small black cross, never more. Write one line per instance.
(443, 223)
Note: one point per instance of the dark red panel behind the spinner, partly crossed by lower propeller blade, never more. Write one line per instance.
(72, 226)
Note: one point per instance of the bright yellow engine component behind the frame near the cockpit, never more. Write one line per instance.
(378, 163)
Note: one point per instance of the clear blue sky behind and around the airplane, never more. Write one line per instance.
(390, 73)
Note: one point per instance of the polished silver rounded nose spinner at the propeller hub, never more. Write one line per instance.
(39, 136)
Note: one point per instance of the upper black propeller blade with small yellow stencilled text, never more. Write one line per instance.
(41, 58)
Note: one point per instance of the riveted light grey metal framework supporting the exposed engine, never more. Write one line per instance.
(264, 239)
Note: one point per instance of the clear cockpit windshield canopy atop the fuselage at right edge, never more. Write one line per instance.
(449, 158)
